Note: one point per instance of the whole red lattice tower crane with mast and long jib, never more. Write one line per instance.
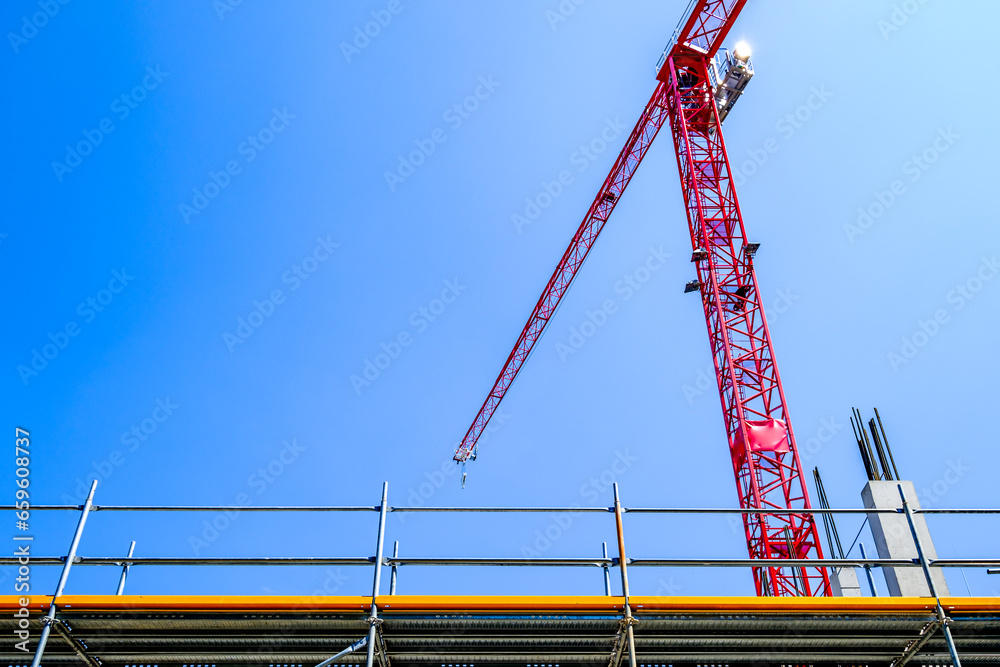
(695, 97)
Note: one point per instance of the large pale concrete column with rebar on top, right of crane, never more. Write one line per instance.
(894, 540)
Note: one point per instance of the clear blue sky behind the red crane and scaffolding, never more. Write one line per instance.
(216, 183)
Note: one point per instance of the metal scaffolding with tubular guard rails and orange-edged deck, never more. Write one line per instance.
(645, 630)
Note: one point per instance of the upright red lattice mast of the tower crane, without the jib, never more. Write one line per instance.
(762, 444)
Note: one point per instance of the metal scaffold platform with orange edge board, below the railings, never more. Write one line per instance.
(465, 631)
